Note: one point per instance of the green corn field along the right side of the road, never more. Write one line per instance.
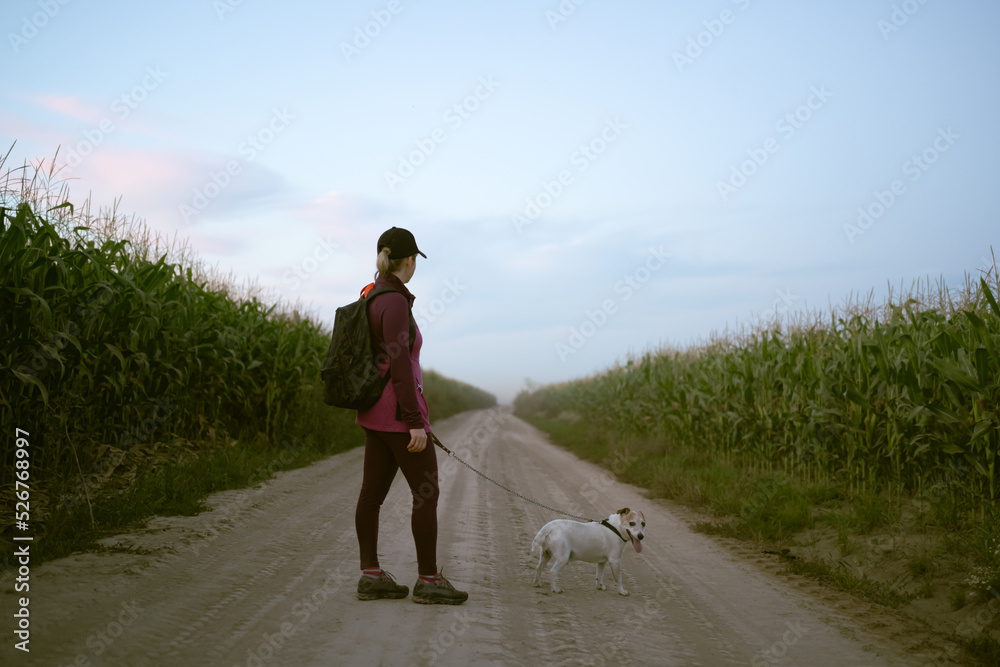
(903, 398)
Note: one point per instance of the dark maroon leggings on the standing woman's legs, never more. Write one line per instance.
(384, 454)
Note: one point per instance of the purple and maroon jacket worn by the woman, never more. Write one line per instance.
(389, 320)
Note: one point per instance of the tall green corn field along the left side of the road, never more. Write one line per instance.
(110, 341)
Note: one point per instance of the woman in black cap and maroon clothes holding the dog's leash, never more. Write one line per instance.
(396, 429)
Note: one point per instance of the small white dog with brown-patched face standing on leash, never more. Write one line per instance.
(563, 540)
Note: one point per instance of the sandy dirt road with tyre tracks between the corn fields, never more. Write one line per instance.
(268, 578)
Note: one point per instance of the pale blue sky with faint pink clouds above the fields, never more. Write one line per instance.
(588, 179)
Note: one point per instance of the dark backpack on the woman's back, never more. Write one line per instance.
(350, 373)
